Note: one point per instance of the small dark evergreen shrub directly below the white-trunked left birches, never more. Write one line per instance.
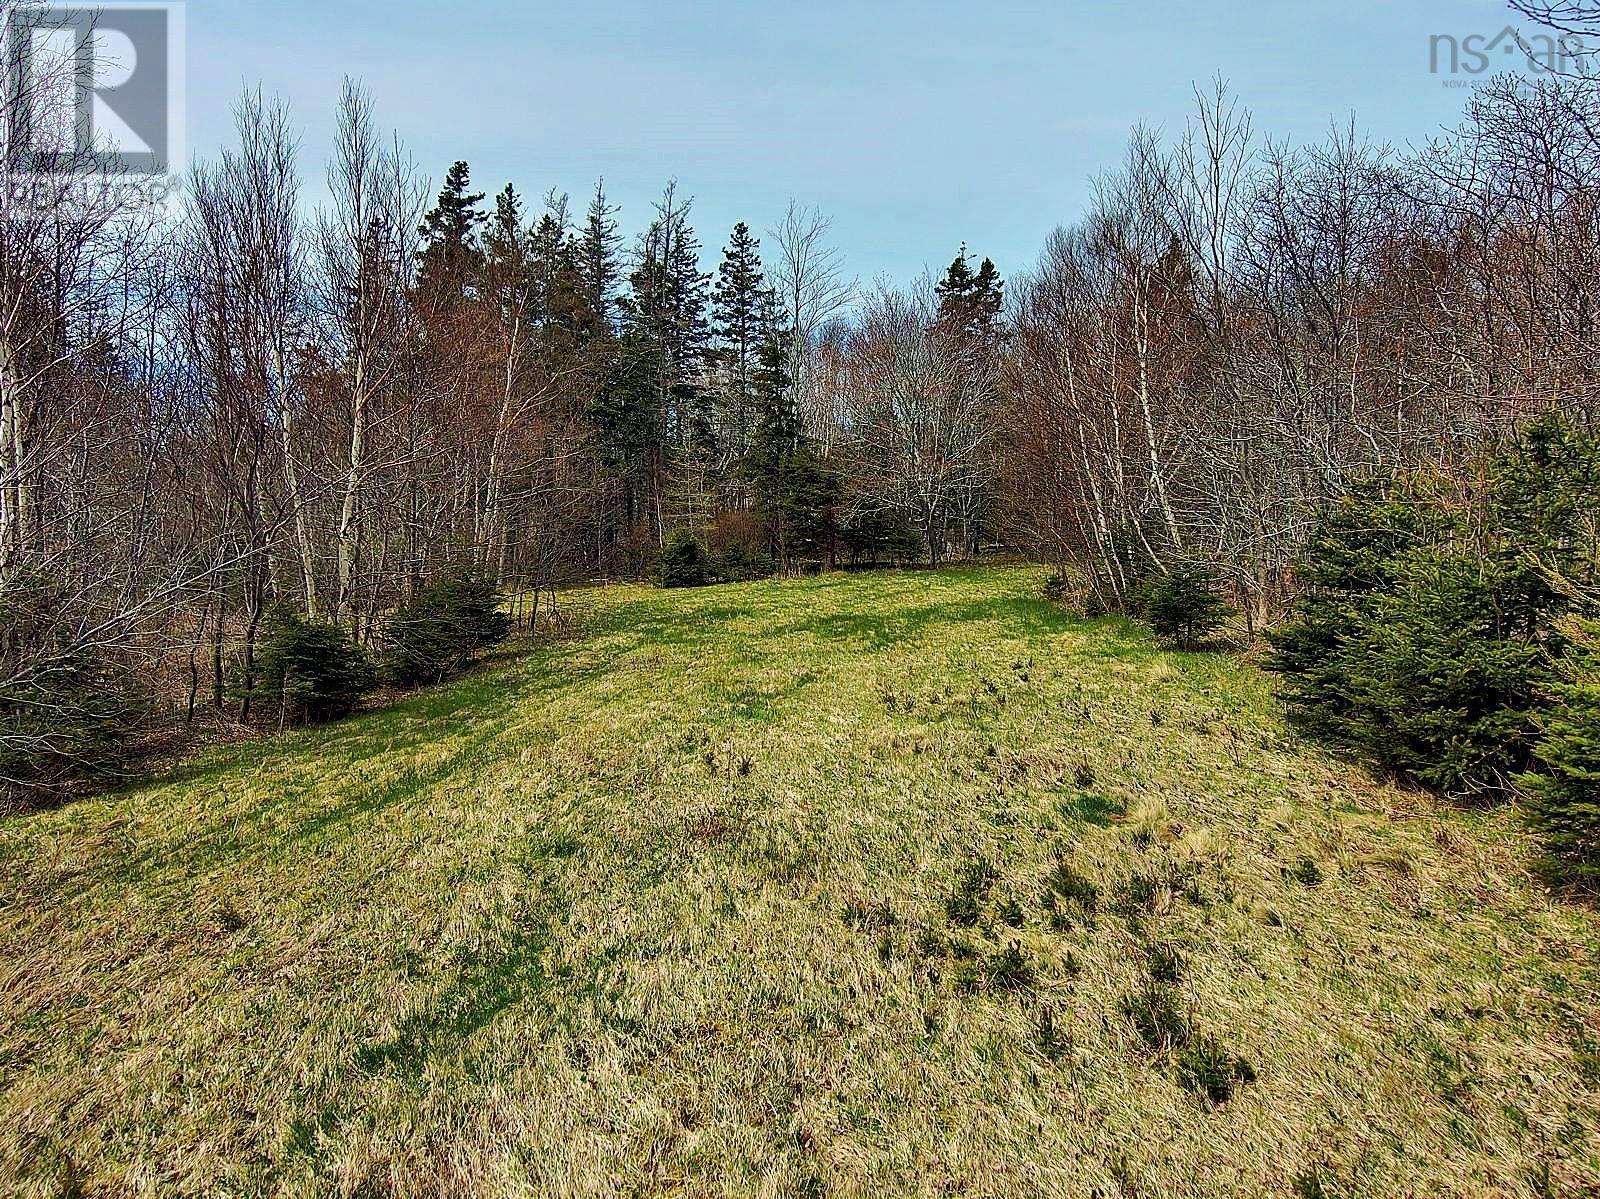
(313, 670)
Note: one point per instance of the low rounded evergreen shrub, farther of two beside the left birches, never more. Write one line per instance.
(441, 632)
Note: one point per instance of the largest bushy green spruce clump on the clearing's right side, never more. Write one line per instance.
(1431, 649)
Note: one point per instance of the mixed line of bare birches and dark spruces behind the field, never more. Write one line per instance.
(263, 404)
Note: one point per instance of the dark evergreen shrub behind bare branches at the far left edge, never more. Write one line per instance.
(66, 707)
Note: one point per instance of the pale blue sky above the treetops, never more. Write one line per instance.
(914, 126)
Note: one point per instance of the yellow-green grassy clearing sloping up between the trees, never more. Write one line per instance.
(889, 884)
